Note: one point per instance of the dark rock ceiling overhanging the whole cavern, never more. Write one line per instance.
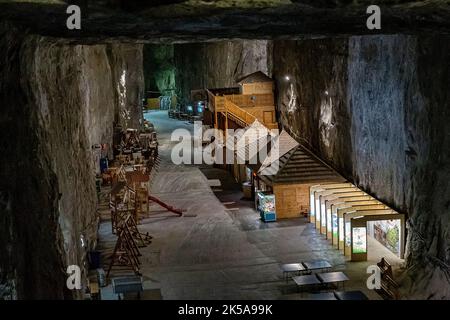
(204, 20)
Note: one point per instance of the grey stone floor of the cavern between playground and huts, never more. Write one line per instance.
(220, 239)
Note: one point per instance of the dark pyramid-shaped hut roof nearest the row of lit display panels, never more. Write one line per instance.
(299, 166)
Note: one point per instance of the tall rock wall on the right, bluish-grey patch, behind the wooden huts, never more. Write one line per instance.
(376, 108)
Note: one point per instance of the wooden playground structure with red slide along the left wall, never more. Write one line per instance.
(129, 201)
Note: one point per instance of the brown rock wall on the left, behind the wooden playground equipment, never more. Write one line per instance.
(57, 102)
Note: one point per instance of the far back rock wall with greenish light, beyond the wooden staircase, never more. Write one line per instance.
(219, 64)
